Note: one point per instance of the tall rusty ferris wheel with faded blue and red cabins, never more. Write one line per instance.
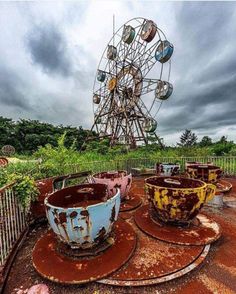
(131, 82)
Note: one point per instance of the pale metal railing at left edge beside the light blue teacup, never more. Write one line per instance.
(12, 222)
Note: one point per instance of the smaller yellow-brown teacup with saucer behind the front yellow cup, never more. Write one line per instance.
(211, 174)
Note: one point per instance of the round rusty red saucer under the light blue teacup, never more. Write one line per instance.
(60, 268)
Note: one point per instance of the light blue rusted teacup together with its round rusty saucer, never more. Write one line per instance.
(84, 236)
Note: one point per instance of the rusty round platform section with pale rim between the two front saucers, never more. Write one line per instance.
(155, 261)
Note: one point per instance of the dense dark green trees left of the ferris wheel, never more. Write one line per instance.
(27, 135)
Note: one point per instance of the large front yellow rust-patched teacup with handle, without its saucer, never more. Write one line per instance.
(176, 199)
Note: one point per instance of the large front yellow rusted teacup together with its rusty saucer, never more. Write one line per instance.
(173, 211)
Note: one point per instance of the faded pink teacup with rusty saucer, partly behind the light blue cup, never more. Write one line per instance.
(122, 180)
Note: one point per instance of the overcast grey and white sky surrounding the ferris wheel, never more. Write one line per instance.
(49, 54)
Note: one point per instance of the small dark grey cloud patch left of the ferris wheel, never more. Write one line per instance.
(48, 48)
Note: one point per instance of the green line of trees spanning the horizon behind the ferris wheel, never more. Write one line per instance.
(26, 136)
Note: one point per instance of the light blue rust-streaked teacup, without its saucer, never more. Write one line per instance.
(82, 216)
